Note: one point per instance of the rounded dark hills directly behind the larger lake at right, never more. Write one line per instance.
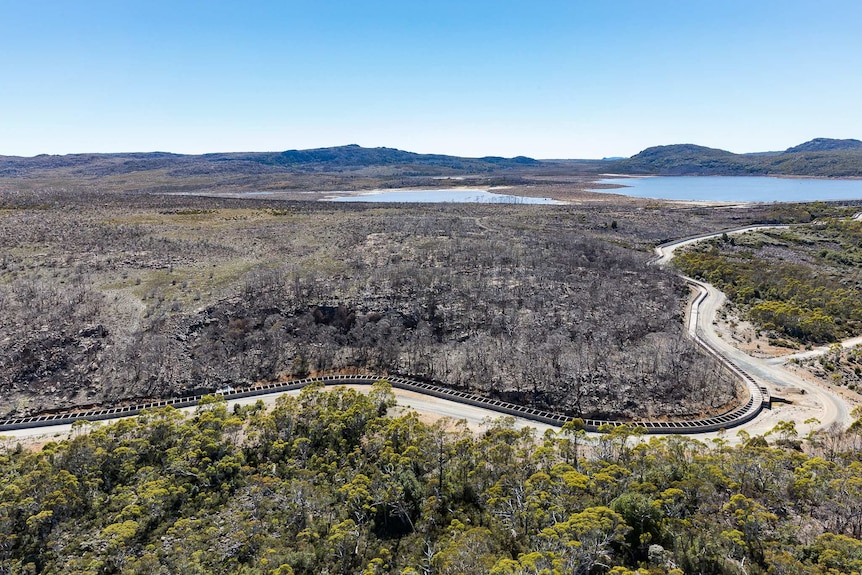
(821, 157)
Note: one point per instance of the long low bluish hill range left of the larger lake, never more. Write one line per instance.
(341, 158)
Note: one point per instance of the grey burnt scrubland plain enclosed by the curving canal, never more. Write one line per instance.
(110, 297)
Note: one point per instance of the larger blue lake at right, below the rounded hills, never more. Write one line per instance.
(736, 188)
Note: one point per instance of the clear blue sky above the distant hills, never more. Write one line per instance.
(547, 79)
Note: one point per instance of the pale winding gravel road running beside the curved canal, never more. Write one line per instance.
(812, 405)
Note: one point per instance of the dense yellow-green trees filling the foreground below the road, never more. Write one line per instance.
(327, 483)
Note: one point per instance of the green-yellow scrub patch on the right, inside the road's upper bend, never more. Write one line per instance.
(803, 283)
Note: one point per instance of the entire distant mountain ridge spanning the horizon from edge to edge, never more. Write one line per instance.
(821, 157)
